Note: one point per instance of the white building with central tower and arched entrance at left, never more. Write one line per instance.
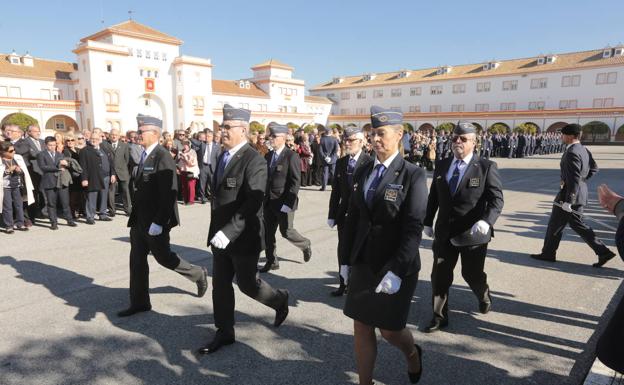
(131, 68)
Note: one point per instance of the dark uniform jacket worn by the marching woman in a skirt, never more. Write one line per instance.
(387, 236)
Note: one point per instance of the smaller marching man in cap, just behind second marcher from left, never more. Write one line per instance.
(281, 200)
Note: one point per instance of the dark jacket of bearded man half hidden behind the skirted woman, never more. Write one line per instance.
(341, 189)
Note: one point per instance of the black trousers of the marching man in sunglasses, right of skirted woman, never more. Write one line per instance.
(445, 257)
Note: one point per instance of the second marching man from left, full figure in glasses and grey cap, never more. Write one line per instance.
(236, 229)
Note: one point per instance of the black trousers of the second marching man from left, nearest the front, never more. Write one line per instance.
(225, 266)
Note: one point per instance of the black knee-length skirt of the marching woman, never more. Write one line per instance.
(380, 310)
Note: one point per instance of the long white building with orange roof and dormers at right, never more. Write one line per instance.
(547, 91)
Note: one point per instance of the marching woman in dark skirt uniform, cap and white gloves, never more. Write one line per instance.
(380, 257)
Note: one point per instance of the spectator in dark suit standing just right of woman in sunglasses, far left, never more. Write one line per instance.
(50, 163)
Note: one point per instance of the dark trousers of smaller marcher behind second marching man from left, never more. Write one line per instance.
(274, 219)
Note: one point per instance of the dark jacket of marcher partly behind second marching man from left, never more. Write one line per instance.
(283, 180)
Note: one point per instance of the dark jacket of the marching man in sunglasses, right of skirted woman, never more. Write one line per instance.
(479, 196)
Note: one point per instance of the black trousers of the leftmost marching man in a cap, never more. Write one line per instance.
(141, 243)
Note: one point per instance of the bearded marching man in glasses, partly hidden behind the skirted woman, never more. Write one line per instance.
(348, 169)
